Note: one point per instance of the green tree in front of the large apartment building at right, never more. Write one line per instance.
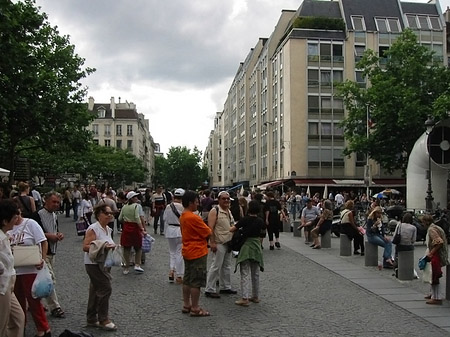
(407, 84)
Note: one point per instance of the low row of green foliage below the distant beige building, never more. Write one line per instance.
(112, 164)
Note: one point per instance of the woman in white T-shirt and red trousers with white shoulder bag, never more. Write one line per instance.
(27, 232)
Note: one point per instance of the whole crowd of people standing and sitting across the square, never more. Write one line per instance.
(199, 228)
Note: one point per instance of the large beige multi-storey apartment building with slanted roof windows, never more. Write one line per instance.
(281, 117)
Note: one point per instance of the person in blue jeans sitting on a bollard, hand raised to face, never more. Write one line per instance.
(375, 235)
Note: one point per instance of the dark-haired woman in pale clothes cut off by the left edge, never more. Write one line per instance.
(12, 317)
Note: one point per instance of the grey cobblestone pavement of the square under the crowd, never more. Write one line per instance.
(299, 297)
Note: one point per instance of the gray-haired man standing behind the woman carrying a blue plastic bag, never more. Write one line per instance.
(47, 219)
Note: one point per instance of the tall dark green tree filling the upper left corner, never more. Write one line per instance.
(41, 94)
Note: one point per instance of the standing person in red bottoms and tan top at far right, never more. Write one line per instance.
(437, 253)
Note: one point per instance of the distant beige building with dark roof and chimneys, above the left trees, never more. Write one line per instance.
(120, 125)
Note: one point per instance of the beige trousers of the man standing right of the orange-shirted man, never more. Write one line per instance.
(220, 269)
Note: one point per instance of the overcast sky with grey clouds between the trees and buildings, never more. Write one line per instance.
(175, 59)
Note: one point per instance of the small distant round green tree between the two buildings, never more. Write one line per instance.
(181, 168)
